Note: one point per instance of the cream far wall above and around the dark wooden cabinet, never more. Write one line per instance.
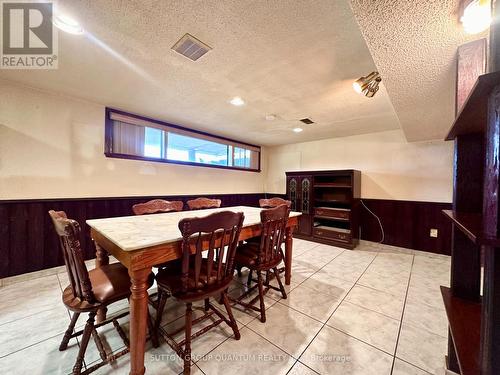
(391, 168)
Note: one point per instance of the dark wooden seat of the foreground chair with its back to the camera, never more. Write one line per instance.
(170, 279)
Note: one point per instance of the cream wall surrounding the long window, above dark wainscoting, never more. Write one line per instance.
(52, 146)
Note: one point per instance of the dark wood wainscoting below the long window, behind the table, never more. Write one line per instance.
(27, 239)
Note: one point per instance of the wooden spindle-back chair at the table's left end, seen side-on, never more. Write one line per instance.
(90, 291)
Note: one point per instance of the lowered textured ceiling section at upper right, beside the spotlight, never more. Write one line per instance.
(414, 44)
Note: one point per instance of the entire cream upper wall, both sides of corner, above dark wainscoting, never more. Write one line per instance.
(52, 146)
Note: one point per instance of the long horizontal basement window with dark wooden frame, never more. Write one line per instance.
(130, 136)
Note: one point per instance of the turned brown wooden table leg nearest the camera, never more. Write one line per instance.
(138, 319)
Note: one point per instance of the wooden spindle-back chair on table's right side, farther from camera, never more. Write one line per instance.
(264, 256)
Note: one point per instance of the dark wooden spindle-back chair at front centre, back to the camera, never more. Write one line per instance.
(201, 278)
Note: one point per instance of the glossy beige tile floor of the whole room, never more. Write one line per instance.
(375, 310)
